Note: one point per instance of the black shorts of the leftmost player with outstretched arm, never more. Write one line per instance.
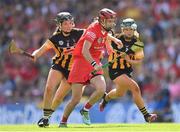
(64, 71)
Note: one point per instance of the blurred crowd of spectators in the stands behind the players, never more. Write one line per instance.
(30, 23)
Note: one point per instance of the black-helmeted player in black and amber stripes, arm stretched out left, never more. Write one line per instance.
(62, 42)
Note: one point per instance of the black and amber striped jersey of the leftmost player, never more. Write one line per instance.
(64, 46)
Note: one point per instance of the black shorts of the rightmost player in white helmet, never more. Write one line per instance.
(114, 73)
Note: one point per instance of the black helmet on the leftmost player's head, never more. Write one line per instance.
(63, 16)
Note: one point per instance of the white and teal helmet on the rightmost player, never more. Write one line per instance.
(129, 22)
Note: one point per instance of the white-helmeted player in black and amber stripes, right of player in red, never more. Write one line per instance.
(121, 69)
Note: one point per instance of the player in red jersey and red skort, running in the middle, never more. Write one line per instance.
(87, 58)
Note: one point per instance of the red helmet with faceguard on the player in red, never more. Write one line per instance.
(105, 14)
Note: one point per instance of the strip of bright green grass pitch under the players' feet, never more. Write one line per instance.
(155, 127)
